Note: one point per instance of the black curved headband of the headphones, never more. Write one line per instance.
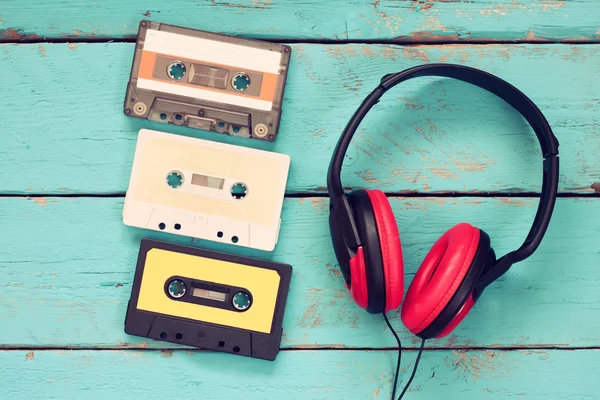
(504, 90)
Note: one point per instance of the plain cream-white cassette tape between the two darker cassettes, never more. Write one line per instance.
(206, 190)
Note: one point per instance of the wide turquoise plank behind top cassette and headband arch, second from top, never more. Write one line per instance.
(64, 130)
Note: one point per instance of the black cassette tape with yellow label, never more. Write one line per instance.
(209, 300)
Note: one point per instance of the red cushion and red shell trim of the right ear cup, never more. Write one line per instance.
(439, 277)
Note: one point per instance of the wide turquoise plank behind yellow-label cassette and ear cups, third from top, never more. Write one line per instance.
(67, 267)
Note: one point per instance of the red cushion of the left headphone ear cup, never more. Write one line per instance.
(391, 249)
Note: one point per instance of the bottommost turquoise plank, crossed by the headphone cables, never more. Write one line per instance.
(298, 374)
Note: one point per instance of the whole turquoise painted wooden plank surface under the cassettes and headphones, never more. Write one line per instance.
(443, 152)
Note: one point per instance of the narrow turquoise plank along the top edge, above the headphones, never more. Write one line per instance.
(400, 20)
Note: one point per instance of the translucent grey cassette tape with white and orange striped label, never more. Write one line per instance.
(207, 81)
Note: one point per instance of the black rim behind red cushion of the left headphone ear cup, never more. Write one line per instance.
(367, 230)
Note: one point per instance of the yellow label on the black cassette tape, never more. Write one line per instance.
(159, 270)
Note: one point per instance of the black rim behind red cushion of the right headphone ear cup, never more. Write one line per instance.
(483, 257)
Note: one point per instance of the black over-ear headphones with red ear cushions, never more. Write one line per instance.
(462, 263)
